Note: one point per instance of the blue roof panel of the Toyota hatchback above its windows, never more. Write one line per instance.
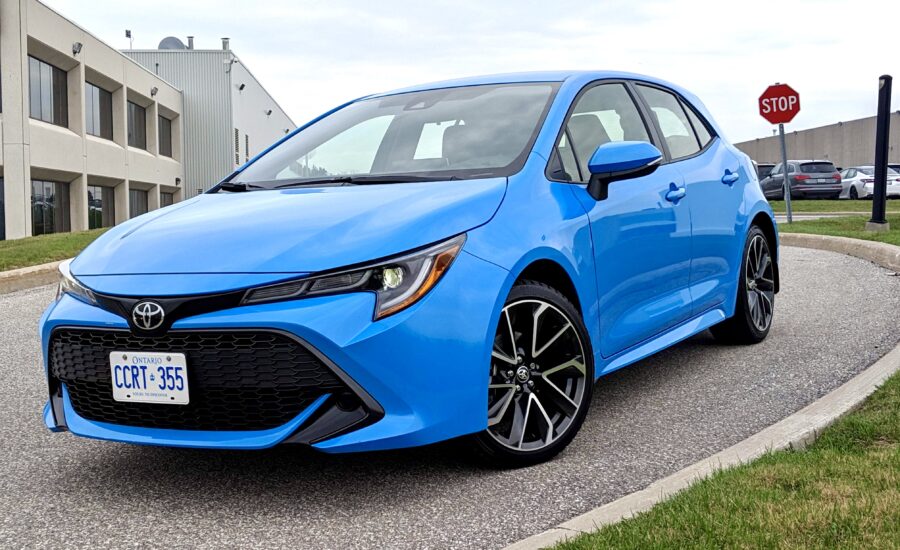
(535, 76)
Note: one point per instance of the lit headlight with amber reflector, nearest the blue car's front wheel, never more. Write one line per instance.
(397, 282)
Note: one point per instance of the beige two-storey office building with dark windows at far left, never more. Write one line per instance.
(89, 137)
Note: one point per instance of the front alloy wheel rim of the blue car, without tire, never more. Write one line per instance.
(538, 376)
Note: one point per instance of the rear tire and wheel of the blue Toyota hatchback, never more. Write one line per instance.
(755, 307)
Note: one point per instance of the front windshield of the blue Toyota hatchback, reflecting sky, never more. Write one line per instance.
(458, 133)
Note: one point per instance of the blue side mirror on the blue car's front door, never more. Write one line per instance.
(620, 160)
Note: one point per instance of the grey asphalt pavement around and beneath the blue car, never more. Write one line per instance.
(834, 317)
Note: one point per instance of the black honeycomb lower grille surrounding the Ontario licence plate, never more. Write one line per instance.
(238, 380)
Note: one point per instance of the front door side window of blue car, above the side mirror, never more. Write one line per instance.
(603, 114)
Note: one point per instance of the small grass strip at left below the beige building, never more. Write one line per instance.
(44, 248)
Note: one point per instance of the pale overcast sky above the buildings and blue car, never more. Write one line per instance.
(314, 55)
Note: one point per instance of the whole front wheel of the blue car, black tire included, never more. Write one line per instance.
(537, 400)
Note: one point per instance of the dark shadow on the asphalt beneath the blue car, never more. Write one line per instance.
(294, 475)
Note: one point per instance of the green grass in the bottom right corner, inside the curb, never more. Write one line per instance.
(842, 492)
